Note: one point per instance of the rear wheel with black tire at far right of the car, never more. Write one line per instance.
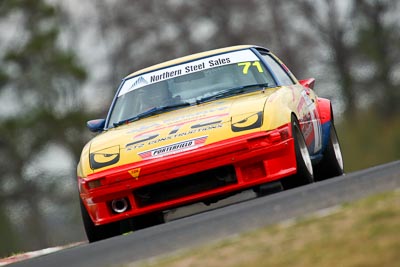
(331, 164)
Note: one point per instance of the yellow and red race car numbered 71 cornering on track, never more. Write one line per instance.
(198, 129)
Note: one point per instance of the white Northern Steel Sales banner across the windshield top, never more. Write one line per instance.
(187, 68)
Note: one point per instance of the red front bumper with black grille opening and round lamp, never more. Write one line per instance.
(253, 159)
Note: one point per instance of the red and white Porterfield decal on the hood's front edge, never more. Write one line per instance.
(173, 148)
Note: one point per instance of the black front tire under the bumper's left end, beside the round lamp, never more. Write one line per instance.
(96, 233)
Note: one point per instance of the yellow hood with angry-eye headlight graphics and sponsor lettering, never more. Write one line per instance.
(178, 131)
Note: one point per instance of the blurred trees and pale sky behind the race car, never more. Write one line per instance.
(61, 62)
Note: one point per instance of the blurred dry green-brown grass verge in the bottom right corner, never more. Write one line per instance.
(363, 233)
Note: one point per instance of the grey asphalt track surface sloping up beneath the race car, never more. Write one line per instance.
(225, 221)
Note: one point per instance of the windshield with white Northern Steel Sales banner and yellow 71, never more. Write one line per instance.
(188, 84)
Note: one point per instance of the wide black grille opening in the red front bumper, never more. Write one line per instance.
(185, 186)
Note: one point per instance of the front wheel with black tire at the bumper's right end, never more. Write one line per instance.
(305, 173)
